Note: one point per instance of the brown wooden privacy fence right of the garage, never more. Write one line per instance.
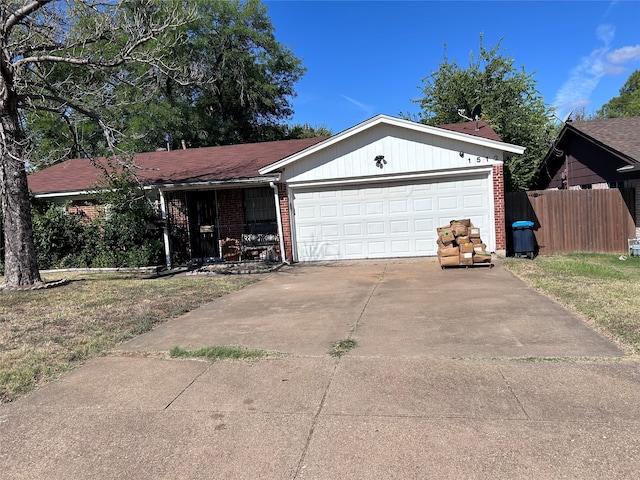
(574, 220)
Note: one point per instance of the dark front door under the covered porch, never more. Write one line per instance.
(202, 222)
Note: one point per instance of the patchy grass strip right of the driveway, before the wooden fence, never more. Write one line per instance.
(600, 287)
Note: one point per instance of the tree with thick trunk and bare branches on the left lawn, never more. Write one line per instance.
(66, 58)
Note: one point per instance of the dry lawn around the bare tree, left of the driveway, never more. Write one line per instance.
(44, 333)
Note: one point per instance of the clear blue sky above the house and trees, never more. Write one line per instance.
(369, 57)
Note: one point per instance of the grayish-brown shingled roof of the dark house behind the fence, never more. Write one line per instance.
(619, 134)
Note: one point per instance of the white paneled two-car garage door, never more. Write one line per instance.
(385, 220)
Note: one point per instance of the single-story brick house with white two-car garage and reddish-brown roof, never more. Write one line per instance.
(379, 189)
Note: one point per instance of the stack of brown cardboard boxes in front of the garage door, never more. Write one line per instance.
(459, 243)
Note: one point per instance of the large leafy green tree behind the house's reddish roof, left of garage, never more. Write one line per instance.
(236, 87)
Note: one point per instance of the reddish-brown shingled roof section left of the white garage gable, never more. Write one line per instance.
(196, 165)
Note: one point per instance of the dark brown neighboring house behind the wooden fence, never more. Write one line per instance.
(594, 154)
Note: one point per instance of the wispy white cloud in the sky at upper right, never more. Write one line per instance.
(585, 77)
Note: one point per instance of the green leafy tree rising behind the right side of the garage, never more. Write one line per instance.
(509, 100)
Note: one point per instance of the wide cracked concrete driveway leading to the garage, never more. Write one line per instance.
(456, 374)
